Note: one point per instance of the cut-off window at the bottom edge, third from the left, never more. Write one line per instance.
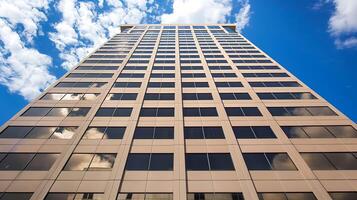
(145, 196)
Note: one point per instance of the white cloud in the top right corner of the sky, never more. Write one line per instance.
(343, 23)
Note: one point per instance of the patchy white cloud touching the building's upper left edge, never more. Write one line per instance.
(84, 27)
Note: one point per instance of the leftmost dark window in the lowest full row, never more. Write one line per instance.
(27, 161)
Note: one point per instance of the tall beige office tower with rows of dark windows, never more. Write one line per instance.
(179, 112)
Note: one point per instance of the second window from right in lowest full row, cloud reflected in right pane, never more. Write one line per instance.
(268, 161)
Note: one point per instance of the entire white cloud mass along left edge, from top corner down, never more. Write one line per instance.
(23, 69)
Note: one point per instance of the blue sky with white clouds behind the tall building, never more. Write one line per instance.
(40, 40)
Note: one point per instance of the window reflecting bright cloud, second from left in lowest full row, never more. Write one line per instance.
(90, 162)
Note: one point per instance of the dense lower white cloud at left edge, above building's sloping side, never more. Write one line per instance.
(23, 70)
